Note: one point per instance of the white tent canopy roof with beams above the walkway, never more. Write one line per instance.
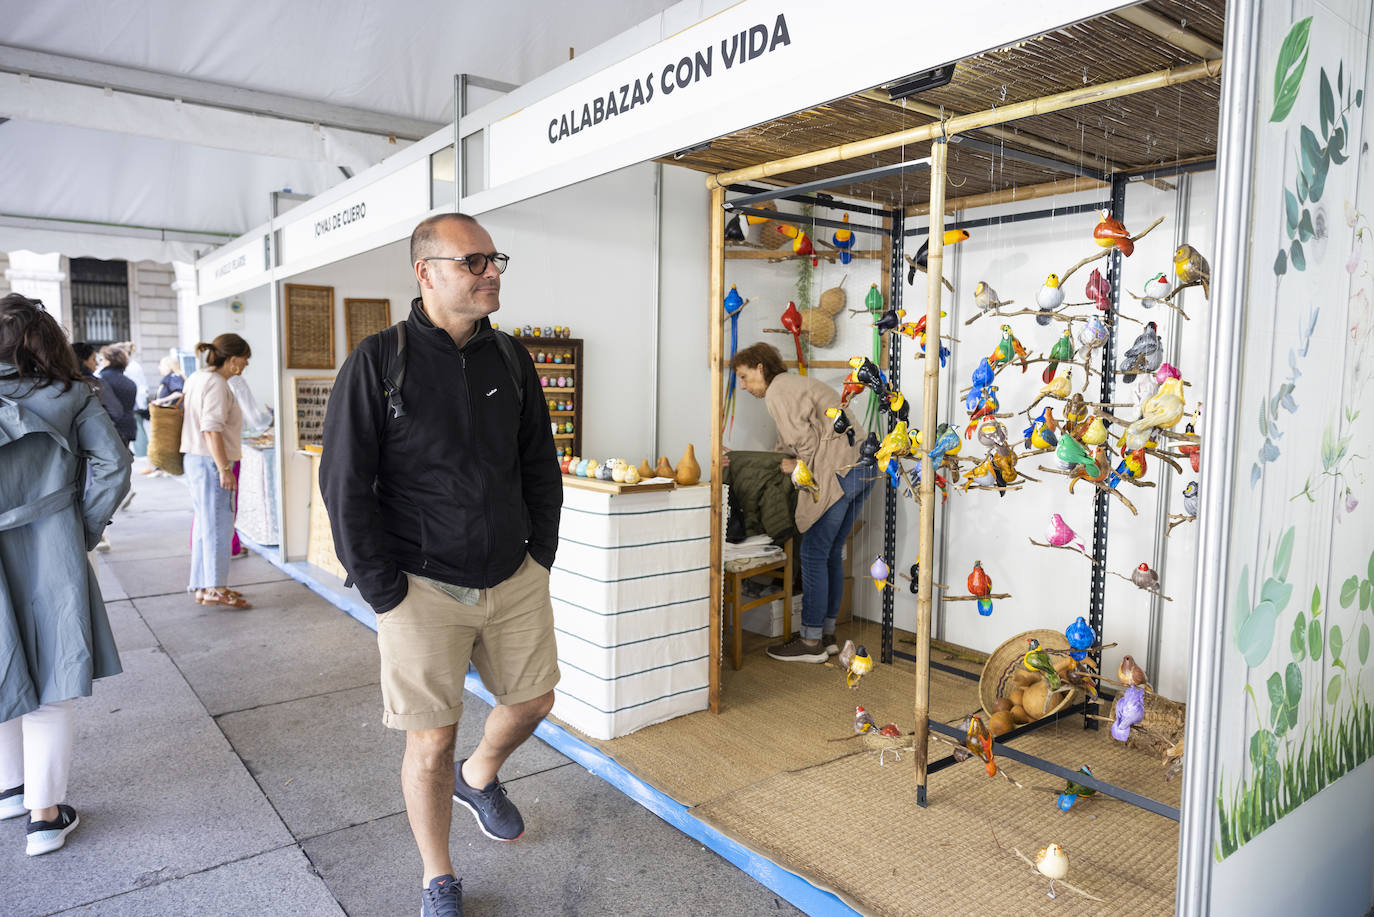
(159, 129)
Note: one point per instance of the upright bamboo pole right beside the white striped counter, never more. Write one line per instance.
(718, 416)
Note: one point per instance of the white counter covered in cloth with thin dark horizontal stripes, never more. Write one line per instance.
(631, 592)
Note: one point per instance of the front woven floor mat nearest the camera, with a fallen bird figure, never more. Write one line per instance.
(853, 827)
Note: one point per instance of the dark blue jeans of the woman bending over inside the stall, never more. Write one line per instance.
(822, 546)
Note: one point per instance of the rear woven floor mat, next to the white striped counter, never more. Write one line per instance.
(778, 717)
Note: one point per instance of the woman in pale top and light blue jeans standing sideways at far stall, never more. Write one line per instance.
(212, 434)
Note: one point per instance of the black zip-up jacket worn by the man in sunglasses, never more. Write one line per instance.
(457, 490)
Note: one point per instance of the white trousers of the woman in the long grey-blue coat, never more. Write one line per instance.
(36, 751)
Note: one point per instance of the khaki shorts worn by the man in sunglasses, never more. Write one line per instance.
(428, 641)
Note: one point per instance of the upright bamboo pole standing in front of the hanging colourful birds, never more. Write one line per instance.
(930, 419)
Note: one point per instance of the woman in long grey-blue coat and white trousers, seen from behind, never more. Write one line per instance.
(54, 632)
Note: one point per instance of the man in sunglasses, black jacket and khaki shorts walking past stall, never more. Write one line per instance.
(446, 516)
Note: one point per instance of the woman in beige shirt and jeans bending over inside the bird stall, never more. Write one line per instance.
(798, 406)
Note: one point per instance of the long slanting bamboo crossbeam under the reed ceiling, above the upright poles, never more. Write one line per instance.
(1046, 105)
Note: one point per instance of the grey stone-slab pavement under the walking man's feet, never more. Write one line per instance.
(240, 768)
